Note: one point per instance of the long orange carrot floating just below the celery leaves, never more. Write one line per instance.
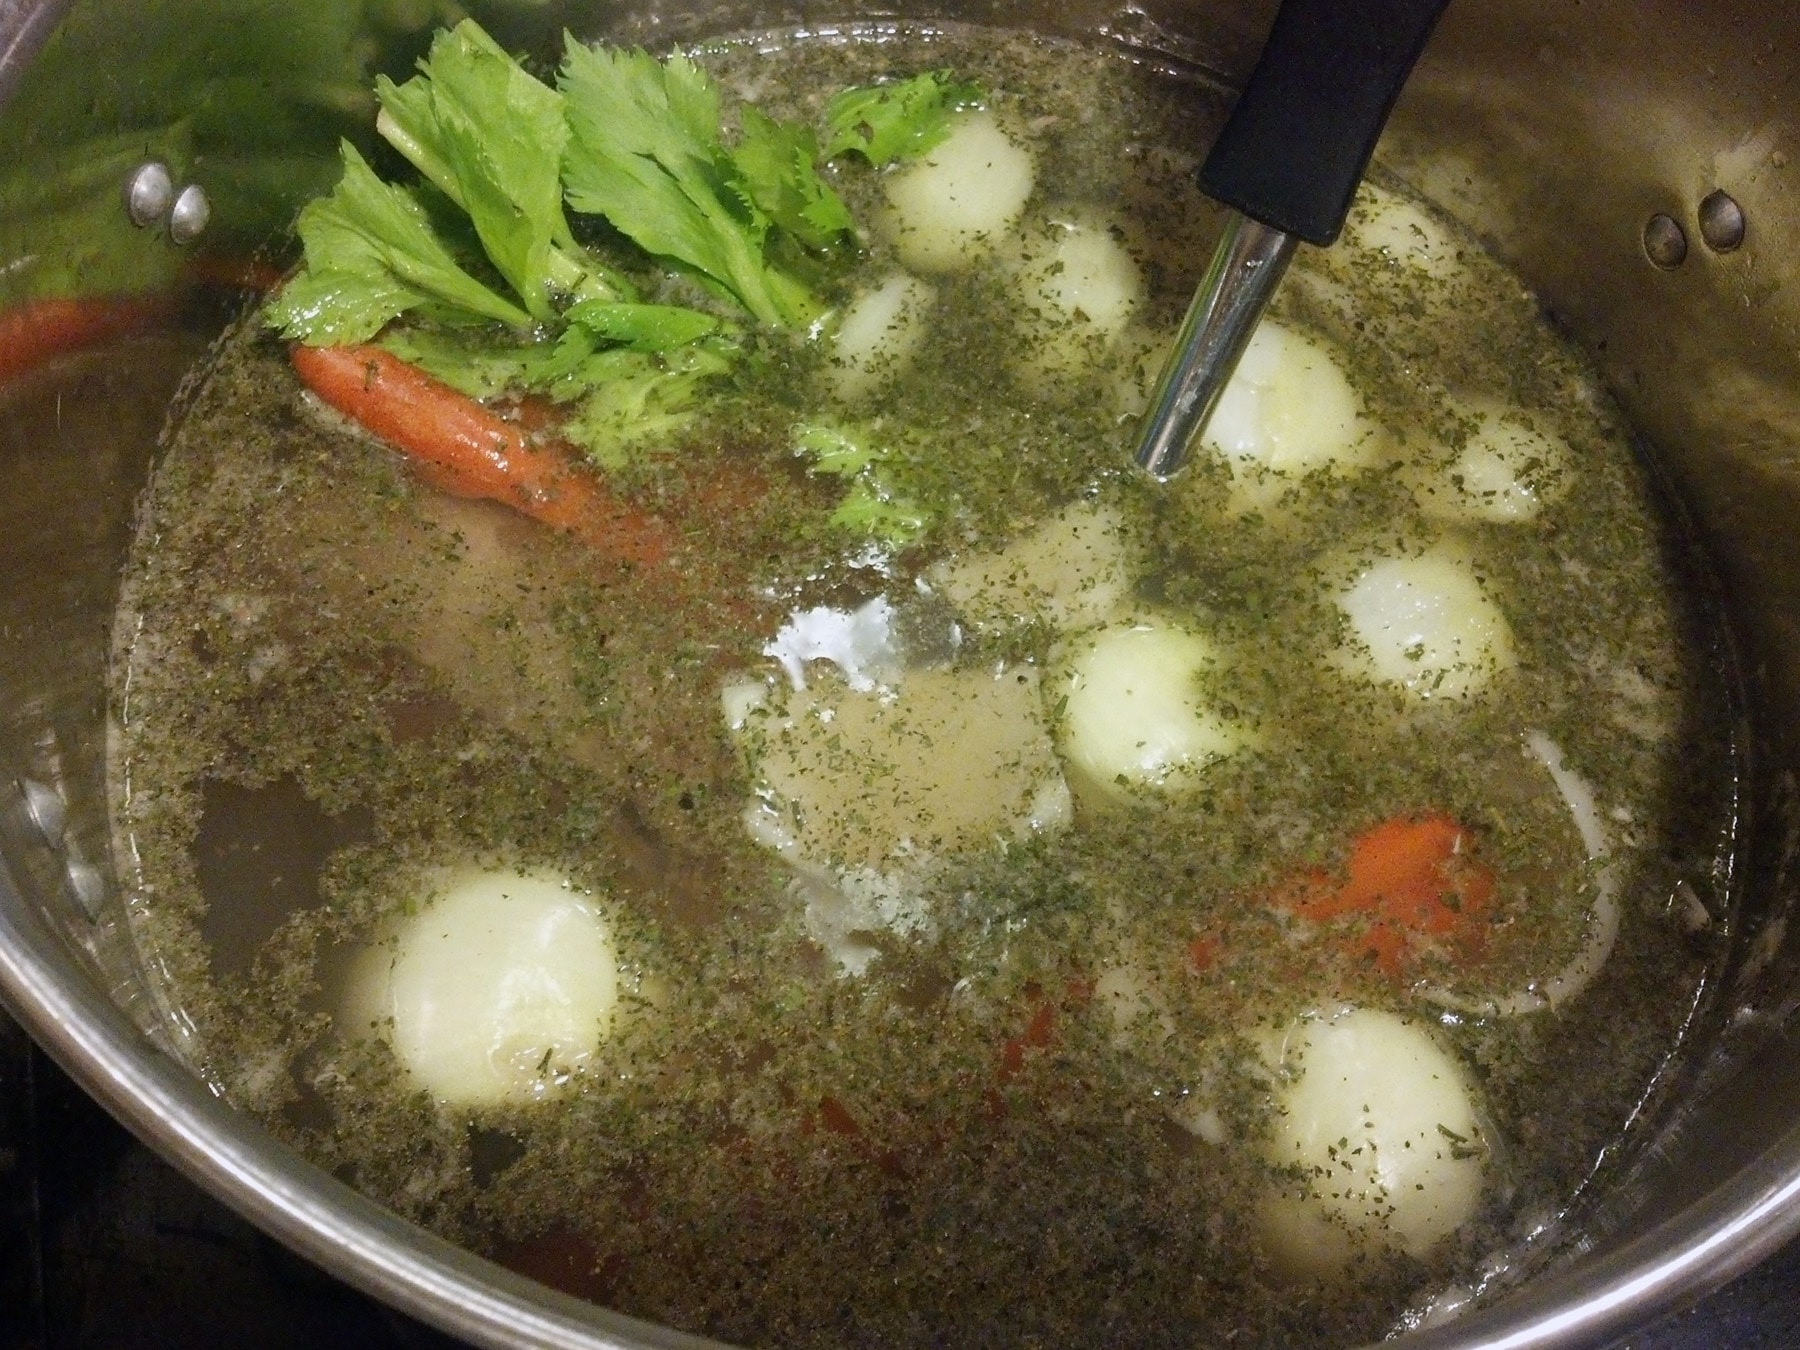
(465, 449)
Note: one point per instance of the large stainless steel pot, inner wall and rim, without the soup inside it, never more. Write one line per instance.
(1637, 161)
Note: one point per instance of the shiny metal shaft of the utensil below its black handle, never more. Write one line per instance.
(1239, 282)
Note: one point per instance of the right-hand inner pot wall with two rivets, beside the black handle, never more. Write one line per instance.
(1558, 139)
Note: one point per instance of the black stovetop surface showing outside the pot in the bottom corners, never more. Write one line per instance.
(103, 1246)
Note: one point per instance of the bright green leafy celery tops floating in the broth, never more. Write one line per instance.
(476, 273)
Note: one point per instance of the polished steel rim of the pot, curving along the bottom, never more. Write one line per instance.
(53, 996)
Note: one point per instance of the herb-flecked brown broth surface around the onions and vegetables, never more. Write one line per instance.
(334, 683)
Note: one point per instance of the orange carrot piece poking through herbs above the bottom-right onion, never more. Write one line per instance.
(1414, 885)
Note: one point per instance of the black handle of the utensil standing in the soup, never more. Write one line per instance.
(1300, 136)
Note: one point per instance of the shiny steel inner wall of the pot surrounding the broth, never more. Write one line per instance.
(1554, 134)
